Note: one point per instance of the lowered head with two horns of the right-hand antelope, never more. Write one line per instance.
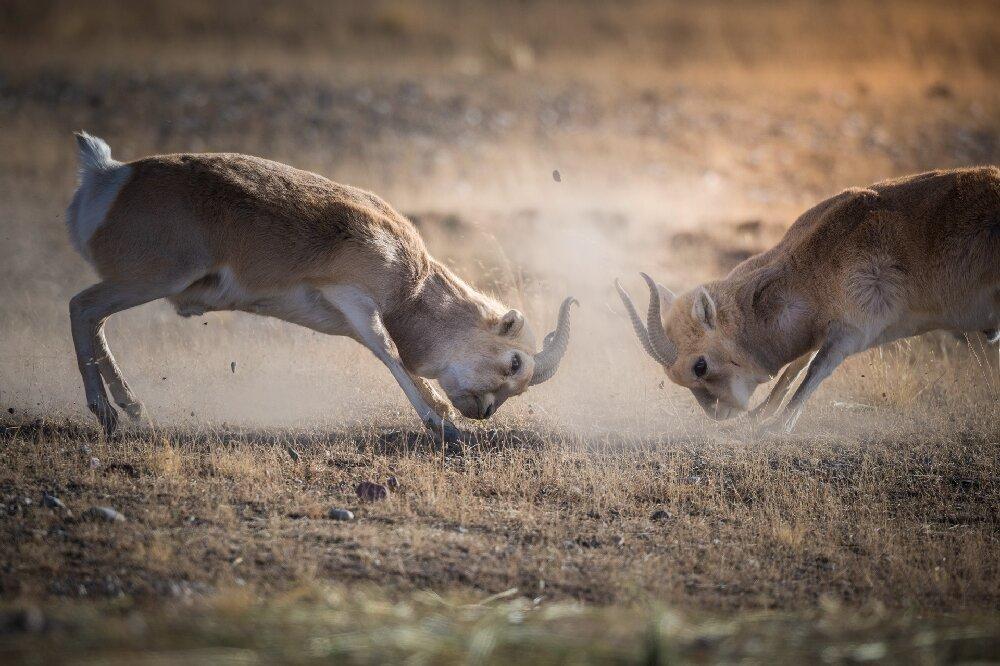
(695, 343)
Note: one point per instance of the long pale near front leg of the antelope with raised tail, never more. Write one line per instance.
(362, 314)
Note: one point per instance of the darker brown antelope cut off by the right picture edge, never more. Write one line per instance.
(860, 269)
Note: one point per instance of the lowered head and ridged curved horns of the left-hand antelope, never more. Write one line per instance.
(499, 361)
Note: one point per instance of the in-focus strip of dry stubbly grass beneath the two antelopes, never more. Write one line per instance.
(910, 523)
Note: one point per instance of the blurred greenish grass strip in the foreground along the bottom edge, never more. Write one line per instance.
(362, 625)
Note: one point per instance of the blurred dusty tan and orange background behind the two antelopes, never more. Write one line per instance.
(543, 148)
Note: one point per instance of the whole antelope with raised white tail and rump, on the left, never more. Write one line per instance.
(225, 231)
